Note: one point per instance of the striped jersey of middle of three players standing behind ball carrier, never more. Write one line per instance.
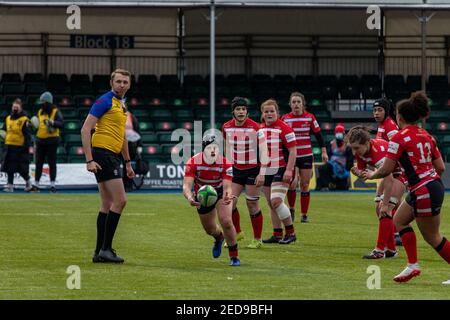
(280, 137)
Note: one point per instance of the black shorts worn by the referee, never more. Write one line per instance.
(110, 163)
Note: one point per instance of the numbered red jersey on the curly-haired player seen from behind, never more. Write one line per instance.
(415, 149)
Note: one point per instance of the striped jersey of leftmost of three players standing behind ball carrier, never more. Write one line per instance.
(242, 142)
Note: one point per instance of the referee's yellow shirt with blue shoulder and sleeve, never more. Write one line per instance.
(110, 128)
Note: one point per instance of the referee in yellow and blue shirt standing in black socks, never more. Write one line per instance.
(103, 152)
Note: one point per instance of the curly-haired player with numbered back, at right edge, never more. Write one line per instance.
(415, 149)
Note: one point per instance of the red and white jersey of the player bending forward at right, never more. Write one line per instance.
(374, 159)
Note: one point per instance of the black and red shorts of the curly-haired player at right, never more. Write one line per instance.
(427, 200)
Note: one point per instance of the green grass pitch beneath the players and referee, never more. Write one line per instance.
(168, 256)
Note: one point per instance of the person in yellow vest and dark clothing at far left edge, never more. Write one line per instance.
(17, 141)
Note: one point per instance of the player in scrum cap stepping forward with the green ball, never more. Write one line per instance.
(211, 168)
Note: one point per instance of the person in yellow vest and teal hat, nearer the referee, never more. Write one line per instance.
(47, 139)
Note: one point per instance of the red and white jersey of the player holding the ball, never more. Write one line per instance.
(211, 174)
